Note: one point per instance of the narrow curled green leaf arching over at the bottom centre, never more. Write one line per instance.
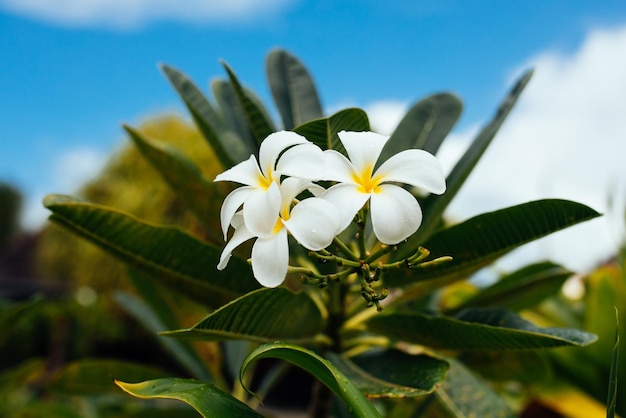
(321, 369)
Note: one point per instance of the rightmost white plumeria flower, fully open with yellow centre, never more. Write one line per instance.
(395, 212)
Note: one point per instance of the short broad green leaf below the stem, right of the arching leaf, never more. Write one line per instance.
(392, 373)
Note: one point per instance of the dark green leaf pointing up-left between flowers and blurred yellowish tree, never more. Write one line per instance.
(184, 178)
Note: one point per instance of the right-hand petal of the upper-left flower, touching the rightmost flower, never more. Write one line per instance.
(305, 161)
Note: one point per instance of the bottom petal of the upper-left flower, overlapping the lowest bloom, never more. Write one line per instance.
(261, 209)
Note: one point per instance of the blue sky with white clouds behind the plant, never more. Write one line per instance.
(72, 71)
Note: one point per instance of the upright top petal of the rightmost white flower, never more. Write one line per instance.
(363, 148)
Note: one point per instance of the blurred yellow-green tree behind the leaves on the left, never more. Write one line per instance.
(128, 183)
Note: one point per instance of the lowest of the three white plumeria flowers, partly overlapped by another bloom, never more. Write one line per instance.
(313, 222)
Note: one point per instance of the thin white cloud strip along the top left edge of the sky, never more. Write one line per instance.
(131, 13)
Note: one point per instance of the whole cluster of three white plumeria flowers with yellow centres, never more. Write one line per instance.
(270, 204)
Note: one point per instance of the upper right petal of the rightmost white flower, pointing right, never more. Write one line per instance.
(415, 167)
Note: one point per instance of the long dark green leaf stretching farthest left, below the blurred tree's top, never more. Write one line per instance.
(169, 254)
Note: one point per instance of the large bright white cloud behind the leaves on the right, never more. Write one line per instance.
(566, 138)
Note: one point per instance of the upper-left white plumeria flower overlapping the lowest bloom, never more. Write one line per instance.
(260, 196)
